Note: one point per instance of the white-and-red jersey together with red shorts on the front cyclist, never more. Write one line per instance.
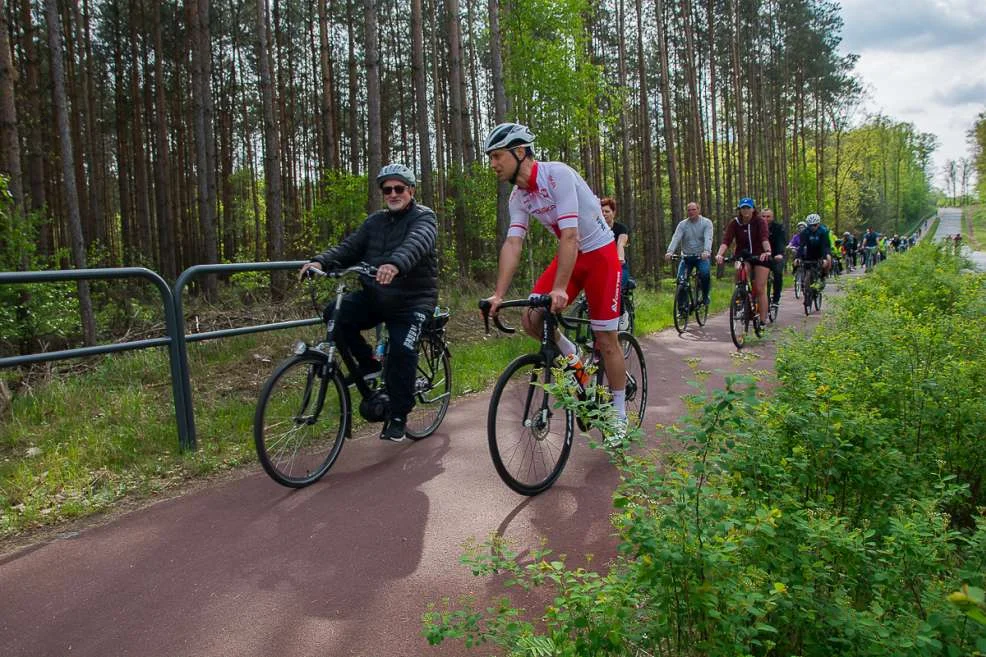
(559, 198)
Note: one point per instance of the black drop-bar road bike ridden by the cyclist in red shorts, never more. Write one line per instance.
(529, 432)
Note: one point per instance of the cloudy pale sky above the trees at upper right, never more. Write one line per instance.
(924, 62)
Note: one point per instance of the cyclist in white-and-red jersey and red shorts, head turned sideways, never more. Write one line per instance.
(559, 198)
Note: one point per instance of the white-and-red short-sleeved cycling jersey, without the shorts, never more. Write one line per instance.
(558, 197)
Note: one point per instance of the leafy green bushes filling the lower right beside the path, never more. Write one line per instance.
(840, 515)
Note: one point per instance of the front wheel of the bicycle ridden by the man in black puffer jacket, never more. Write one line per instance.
(301, 420)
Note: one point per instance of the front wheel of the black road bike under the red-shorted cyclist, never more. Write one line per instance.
(529, 437)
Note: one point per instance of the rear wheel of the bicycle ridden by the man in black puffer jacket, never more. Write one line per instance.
(432, 388)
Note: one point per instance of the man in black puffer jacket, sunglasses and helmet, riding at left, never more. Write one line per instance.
(401, 242)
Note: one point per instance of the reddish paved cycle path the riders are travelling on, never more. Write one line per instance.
(343, 568)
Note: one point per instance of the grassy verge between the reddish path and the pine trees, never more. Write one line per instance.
(77, 437)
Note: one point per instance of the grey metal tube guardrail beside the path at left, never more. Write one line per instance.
(176, 339)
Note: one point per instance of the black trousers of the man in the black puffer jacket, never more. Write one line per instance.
(360, 311)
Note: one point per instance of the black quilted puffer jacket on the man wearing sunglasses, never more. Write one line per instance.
(405, 239)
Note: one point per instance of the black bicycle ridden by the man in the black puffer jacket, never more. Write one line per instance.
(304, 412)
